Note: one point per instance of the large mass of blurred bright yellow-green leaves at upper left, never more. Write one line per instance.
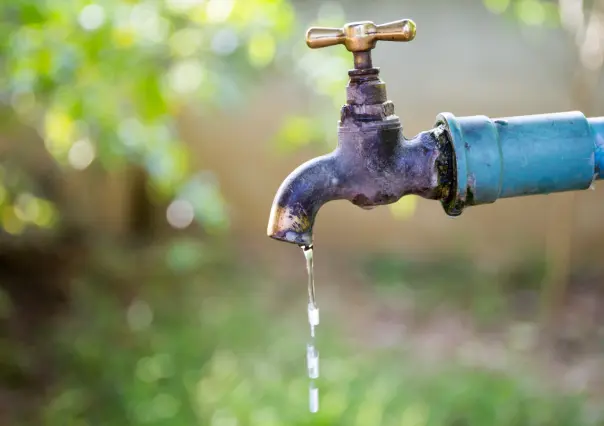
(108, 80)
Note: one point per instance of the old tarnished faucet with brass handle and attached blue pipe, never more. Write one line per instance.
(461, 162)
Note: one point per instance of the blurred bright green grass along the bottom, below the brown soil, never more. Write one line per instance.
(199, 347)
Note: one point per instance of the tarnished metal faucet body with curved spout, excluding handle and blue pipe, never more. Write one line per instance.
(372, 165)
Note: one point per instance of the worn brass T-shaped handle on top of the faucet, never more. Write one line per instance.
(361, 36)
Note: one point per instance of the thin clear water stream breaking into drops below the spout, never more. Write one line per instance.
(312, 355)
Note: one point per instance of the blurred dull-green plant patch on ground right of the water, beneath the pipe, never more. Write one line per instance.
(456, 283)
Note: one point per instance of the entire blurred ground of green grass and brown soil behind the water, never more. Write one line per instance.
(198, 336)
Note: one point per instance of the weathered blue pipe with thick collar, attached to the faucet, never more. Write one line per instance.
(526, 155)
